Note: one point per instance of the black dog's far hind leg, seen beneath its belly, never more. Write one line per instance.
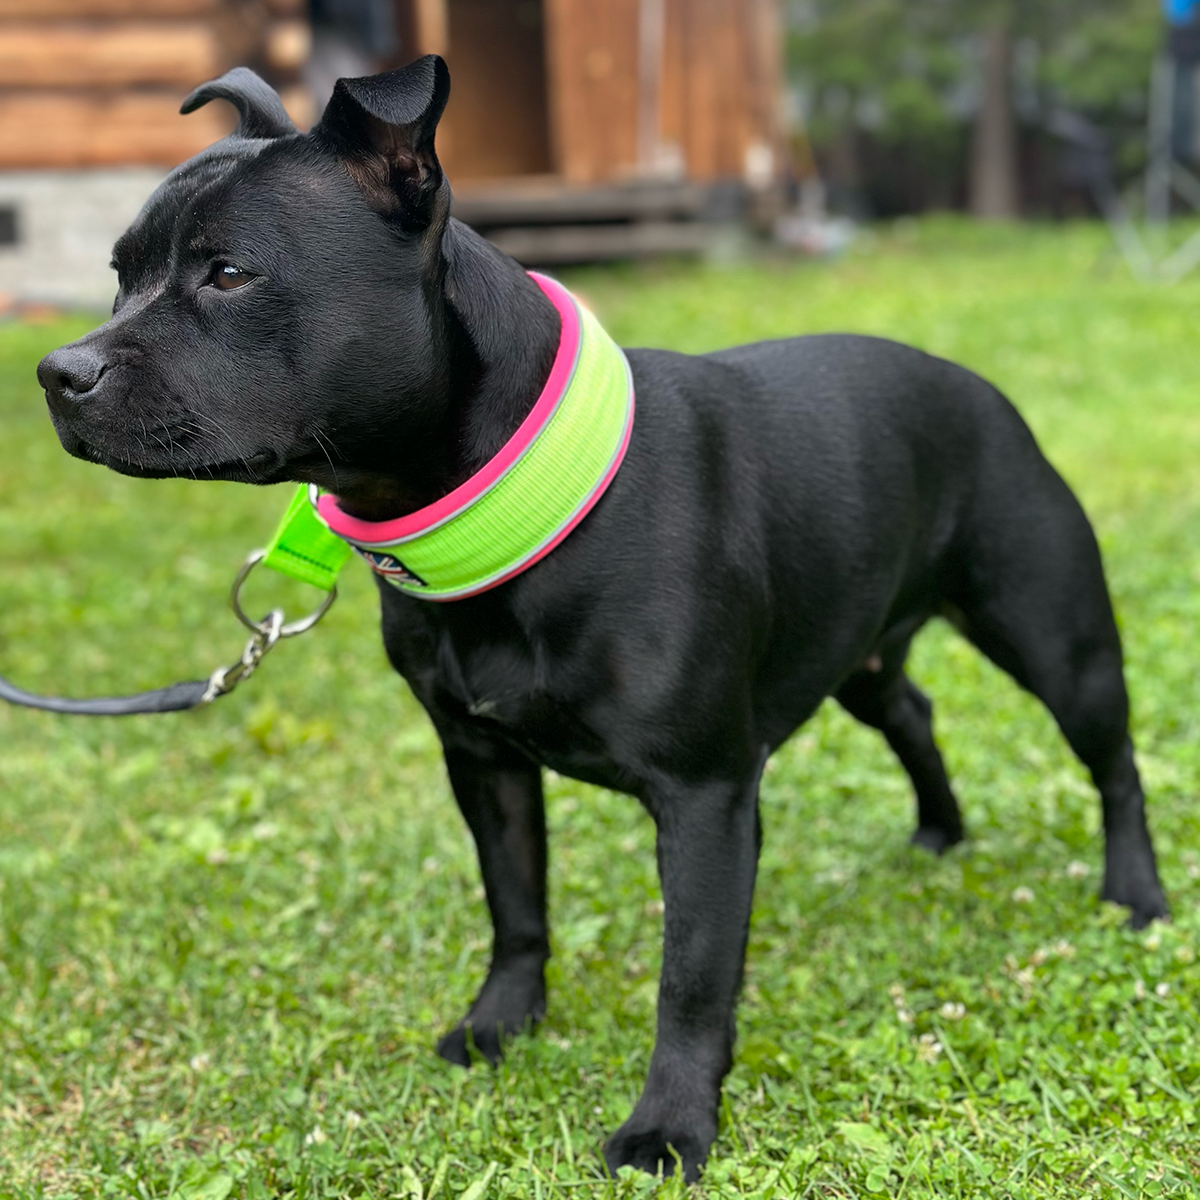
(887, 700)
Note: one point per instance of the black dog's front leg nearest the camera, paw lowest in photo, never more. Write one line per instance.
(709, 853)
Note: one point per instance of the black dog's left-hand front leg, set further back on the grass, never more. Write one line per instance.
(500, 794)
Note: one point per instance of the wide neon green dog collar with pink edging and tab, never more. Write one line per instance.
(514, 511)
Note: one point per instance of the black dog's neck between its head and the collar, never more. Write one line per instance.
(495, 335)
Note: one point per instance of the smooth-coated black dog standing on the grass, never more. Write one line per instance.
(789, 515)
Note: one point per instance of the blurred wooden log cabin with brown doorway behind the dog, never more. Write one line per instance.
(575, 128)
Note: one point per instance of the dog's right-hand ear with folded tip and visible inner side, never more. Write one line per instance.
(382, 128)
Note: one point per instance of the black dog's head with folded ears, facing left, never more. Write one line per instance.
(277, 296)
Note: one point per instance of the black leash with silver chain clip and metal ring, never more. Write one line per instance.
(179, 698)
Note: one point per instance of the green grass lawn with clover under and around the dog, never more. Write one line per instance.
(229, 940)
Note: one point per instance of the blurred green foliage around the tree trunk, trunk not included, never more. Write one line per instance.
(891, 94)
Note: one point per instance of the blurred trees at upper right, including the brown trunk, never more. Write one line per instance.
(944, 87)
